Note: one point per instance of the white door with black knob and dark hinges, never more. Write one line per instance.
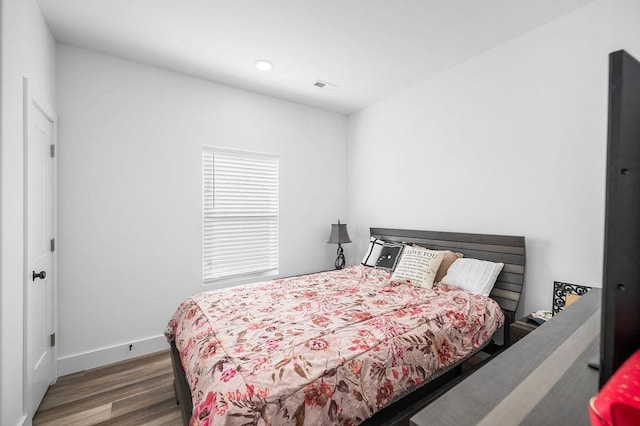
(39, 260)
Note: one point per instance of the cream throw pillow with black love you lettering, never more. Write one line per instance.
(419, 265)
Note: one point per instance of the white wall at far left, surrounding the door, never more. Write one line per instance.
(28, 49)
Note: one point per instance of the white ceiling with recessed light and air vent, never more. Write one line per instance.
(371, 49)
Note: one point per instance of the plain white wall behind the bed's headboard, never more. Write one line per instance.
(511, 142)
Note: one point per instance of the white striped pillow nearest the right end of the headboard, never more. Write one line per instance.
(476, 276)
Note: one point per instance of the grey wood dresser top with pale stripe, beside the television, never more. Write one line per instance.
(543, 380)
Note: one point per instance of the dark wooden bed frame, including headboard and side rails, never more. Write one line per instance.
(509, 250)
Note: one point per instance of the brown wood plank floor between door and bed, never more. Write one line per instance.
(133, 392)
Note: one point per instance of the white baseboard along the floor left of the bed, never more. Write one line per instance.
(103, 356)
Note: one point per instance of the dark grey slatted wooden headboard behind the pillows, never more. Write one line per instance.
(507, 249)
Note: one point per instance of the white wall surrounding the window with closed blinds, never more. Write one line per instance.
(130, 139)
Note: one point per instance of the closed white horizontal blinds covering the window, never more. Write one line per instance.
(240, 213)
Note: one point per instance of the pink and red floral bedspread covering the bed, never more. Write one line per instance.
(321, 349)
